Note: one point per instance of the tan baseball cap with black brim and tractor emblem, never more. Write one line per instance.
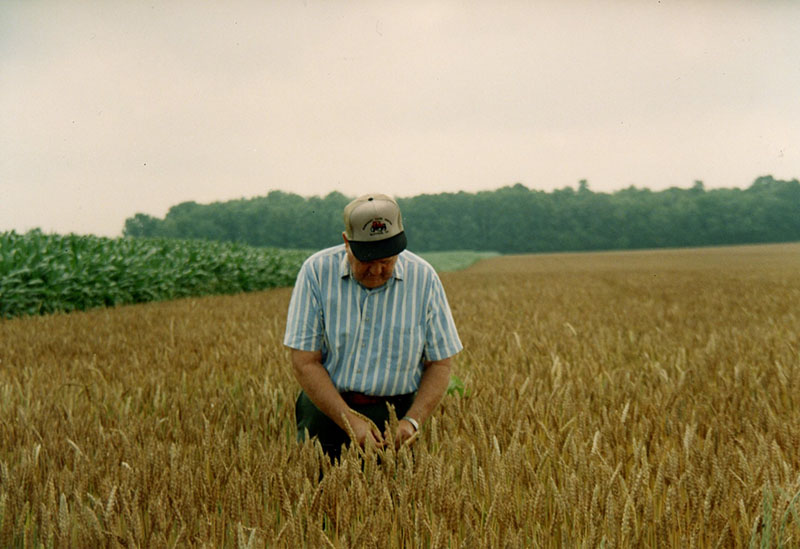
(374, 227)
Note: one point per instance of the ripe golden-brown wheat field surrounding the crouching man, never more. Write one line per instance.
(632, 399)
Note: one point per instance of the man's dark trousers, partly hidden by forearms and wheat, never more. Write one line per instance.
(330, 435)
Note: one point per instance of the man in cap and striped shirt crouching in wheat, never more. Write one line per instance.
(368, 325)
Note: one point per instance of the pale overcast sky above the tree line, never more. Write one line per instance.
(109, 108)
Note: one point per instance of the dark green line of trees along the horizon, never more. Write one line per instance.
(513, 219)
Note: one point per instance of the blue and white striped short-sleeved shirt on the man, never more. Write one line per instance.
(372, 341)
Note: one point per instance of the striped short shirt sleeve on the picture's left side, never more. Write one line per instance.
(304, 328)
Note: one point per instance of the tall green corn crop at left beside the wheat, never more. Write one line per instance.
(44, 273)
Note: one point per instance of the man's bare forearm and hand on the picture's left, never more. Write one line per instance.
(316, 382)
